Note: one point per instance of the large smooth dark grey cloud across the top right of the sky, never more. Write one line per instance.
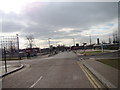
(73, 14)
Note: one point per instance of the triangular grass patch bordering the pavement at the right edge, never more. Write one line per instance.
(111, 62)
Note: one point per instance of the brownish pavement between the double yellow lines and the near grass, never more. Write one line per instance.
(106, 74)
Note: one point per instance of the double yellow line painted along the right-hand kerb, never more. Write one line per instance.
(90, 77)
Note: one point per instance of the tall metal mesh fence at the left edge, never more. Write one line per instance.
(10, 44)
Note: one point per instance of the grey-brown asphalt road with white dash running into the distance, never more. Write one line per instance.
(60, 71)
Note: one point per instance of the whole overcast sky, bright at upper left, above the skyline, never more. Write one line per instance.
(60, 21)
